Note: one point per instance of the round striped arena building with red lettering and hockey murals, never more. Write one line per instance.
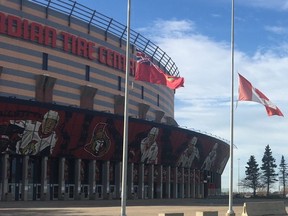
(62, 75)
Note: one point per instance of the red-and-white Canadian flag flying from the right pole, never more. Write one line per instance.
(248, 93)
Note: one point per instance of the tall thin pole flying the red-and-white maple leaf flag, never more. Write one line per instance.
(230, 211)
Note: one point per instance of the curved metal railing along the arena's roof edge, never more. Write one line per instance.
(109, 25)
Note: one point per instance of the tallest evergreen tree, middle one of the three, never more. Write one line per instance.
(268, 168)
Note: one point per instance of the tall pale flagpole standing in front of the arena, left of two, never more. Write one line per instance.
(126, 118)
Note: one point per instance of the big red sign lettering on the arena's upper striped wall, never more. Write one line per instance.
(15, 26)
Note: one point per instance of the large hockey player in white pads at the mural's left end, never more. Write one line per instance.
(30, 137)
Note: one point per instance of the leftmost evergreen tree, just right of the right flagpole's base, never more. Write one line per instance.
(252, 179)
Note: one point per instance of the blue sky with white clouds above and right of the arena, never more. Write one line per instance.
(197, 36)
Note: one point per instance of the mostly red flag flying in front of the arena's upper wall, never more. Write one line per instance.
(149, 72)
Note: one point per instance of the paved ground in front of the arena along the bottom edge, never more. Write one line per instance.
(113, 207)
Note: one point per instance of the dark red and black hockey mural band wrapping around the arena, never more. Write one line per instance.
(32, 128)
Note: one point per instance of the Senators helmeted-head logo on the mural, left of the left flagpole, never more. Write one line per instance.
(100, 143)
